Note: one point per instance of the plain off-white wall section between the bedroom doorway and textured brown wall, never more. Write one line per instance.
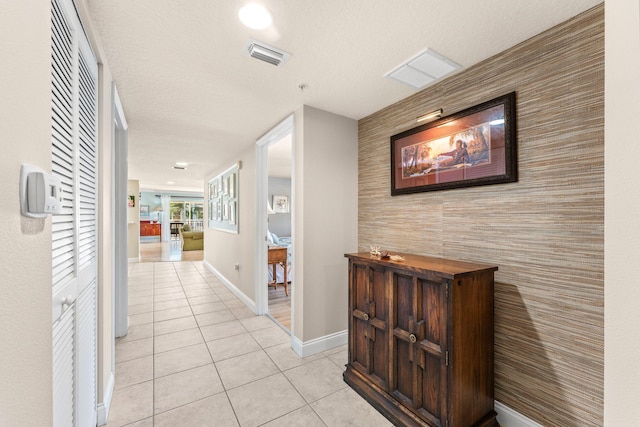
(326, 220)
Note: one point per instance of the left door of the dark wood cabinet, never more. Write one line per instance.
(368, 323)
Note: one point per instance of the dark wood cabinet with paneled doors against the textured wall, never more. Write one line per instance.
(421, 339)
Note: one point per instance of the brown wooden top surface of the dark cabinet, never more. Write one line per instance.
(443, 266)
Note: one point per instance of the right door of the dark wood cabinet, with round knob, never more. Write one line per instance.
(419, 341)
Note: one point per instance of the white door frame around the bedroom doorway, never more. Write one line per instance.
(284, 128)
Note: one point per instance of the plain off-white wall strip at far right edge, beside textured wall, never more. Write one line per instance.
(622, 206)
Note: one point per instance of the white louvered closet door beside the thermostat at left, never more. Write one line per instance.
(74, 260)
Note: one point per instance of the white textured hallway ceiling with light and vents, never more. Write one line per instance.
(191, 95)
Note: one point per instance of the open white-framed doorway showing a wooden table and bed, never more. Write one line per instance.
(275, 237)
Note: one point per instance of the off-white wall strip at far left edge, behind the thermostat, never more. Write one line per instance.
(25, 253)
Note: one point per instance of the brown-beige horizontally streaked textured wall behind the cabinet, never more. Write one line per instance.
(546, 232)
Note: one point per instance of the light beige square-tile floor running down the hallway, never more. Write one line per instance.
(196, 356)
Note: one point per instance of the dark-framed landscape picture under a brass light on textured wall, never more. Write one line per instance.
(476, 146)
